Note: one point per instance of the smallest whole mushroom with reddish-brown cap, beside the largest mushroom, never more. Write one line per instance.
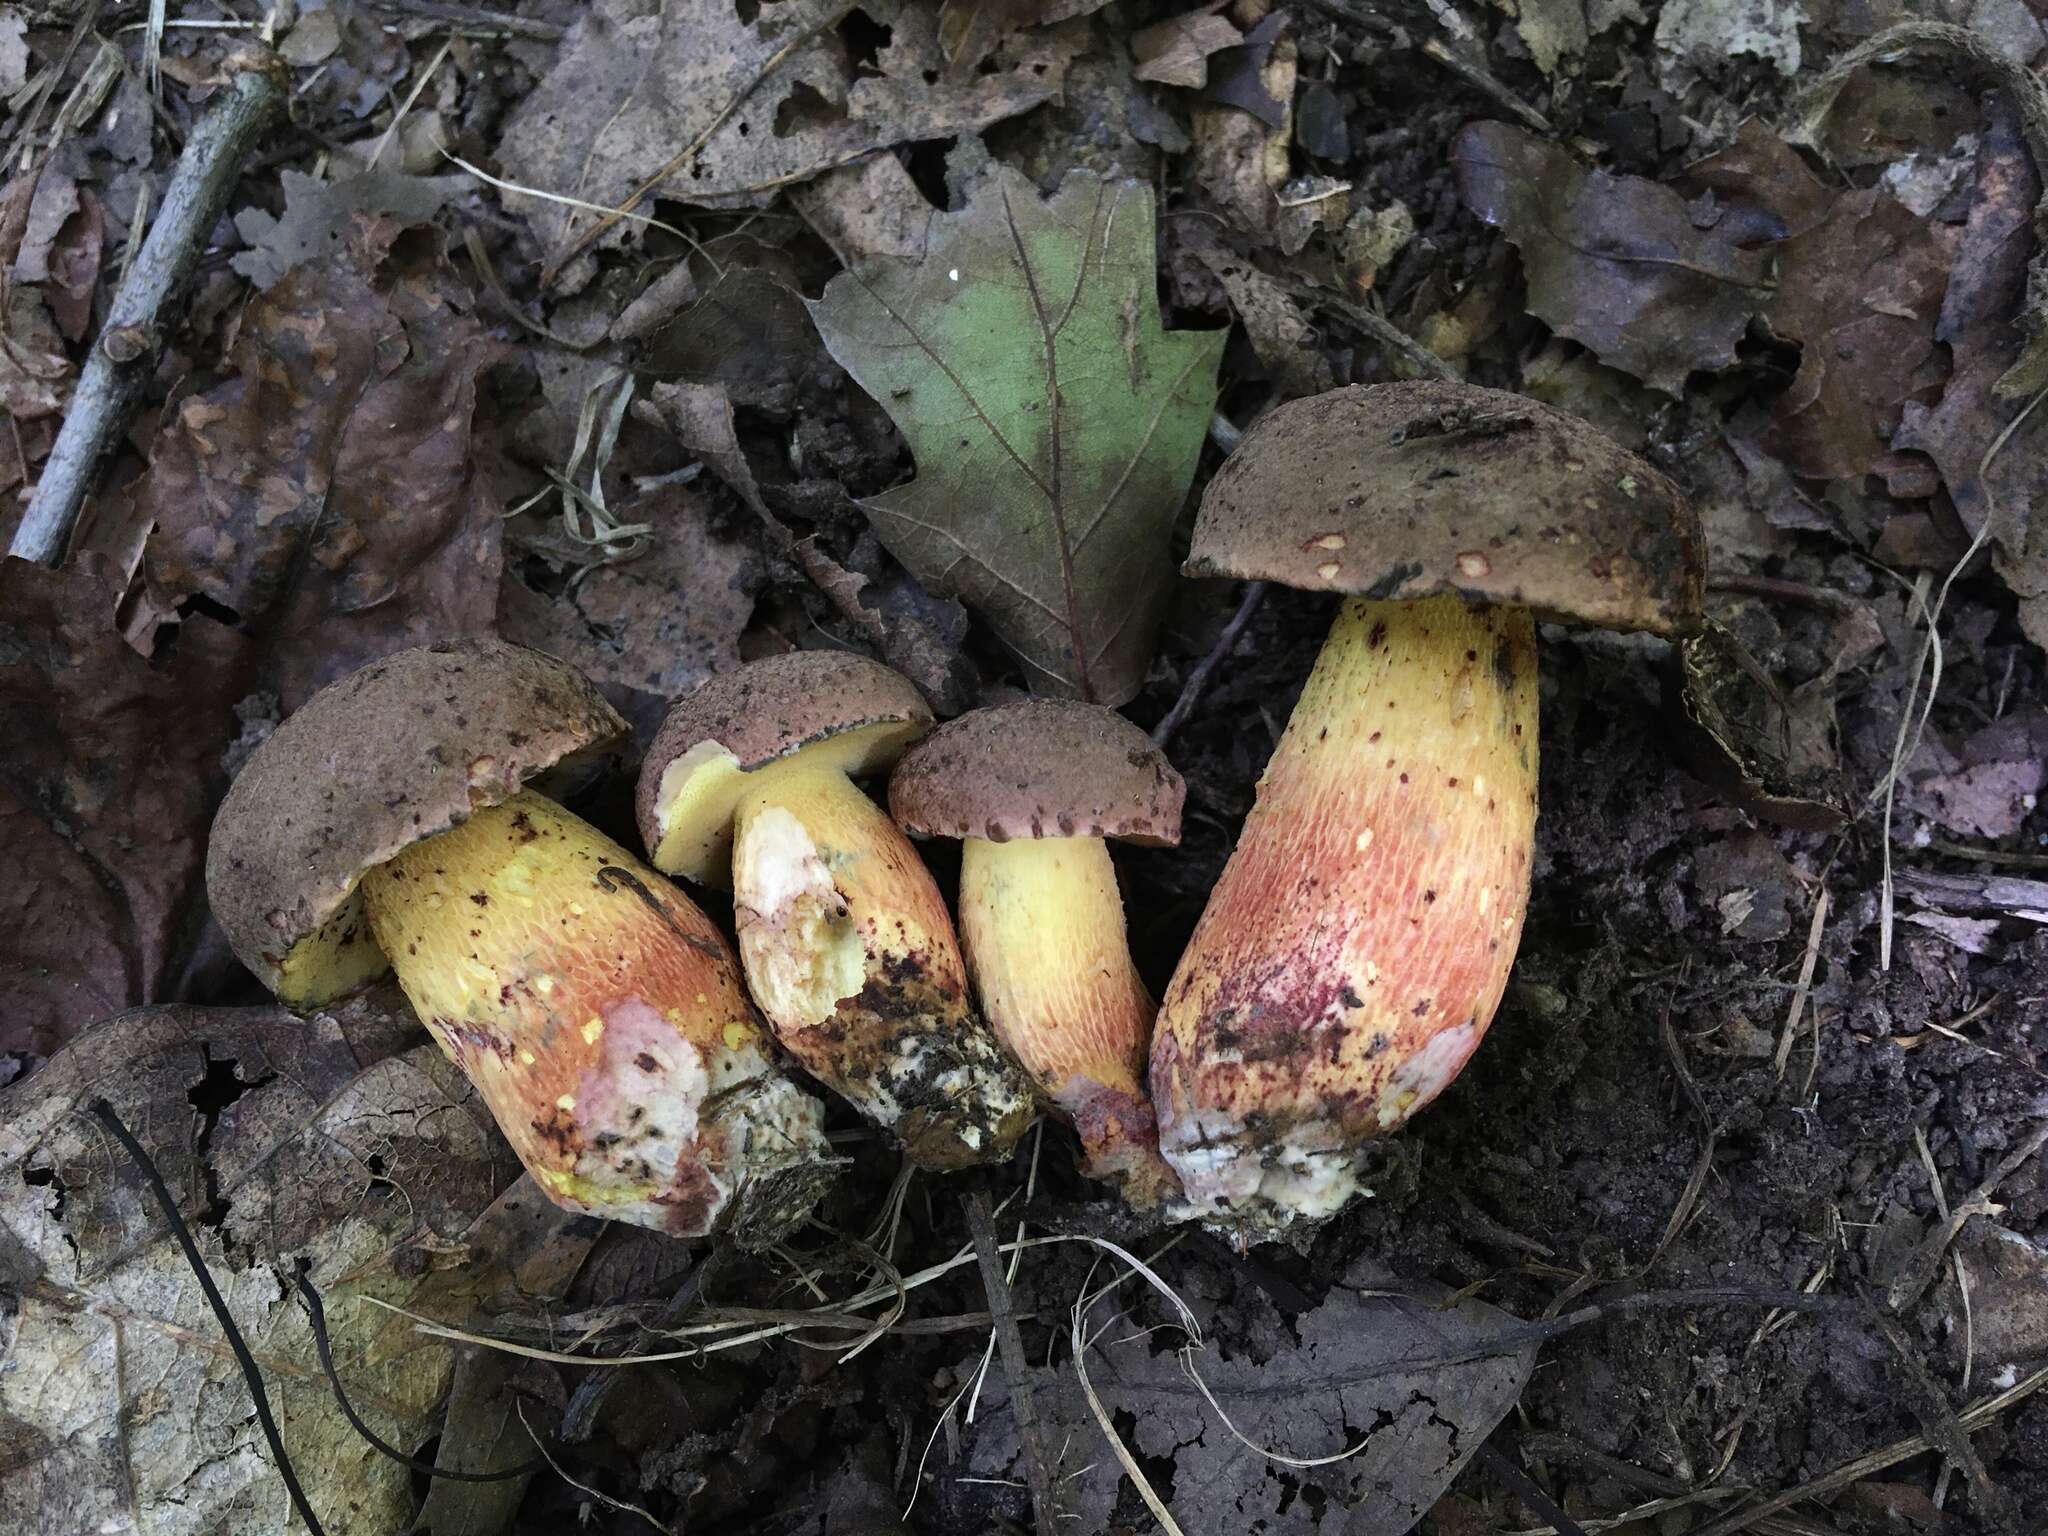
(1031, 792)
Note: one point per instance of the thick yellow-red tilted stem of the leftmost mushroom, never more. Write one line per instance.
(603, 1019)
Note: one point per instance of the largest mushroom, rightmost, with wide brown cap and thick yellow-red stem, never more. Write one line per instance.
(1361, 937)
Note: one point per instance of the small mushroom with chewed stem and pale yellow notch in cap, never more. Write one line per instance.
(843, 933)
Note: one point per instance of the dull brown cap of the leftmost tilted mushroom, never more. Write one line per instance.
(372, 765)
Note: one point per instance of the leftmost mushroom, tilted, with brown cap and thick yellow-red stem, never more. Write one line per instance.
(597, 1011)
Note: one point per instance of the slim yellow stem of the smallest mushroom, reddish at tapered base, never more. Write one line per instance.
(1046, 939)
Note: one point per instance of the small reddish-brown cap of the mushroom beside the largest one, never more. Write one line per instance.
(1046, 769)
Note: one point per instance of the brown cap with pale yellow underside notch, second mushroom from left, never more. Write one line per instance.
(751, 718)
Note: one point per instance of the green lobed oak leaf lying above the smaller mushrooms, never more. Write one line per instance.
(1054, 419)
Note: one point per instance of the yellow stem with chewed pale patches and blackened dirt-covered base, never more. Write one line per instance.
(853, 959)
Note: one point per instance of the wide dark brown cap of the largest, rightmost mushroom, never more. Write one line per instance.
(1416, 488)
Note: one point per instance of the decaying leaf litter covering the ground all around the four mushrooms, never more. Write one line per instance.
(585, 327)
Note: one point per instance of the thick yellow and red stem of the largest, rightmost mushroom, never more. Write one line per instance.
(1363, 931)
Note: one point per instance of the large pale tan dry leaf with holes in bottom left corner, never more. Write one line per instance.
(284, 1140)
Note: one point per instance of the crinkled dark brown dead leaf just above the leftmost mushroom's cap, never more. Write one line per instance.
(327, 490)
